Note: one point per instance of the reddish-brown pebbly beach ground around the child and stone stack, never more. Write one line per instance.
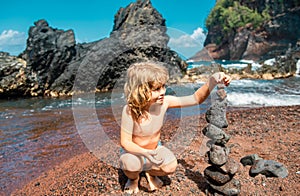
(271, 132)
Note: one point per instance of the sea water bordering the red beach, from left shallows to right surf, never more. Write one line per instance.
(38, 132)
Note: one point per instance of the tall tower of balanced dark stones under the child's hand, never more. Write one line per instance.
(220, 174)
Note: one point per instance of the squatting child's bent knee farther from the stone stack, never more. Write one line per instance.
(130, 163)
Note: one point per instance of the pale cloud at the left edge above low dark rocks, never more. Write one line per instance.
(12, 41)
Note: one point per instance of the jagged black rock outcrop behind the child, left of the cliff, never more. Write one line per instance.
(56, 65)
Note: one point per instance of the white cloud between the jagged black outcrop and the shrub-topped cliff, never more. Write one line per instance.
(186, 44)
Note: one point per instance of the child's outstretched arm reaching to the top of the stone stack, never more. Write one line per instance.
(201, 94)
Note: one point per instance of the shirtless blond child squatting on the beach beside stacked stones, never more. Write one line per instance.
(142, 119)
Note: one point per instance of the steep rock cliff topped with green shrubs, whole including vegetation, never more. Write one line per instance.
(253, 30)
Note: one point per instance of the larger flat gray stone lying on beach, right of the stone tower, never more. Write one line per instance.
(268, 168)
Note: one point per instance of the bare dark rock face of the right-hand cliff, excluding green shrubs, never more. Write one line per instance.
(270, 39)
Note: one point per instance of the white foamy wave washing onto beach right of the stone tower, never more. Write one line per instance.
(263, 93)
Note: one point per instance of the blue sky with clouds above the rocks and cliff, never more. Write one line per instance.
(92, 20)
